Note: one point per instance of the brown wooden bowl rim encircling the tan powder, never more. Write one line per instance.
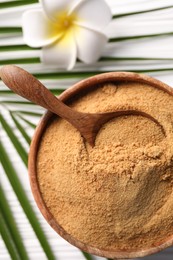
(65, 96)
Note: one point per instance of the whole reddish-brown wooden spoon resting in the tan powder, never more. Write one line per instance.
(27, 86)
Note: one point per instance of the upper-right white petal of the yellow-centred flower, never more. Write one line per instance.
(95, 14)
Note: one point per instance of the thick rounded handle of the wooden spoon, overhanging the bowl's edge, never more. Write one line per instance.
(27, 86)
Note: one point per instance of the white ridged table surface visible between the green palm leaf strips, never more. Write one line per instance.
(157, 60)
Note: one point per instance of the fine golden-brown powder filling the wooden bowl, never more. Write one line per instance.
(119, 194)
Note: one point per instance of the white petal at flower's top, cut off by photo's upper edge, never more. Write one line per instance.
(55, 8)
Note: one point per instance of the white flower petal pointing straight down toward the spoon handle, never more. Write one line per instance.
(62, 53)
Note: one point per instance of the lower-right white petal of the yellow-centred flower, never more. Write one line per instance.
(90, 44)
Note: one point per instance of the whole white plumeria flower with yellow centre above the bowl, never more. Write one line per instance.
(67, 30)
